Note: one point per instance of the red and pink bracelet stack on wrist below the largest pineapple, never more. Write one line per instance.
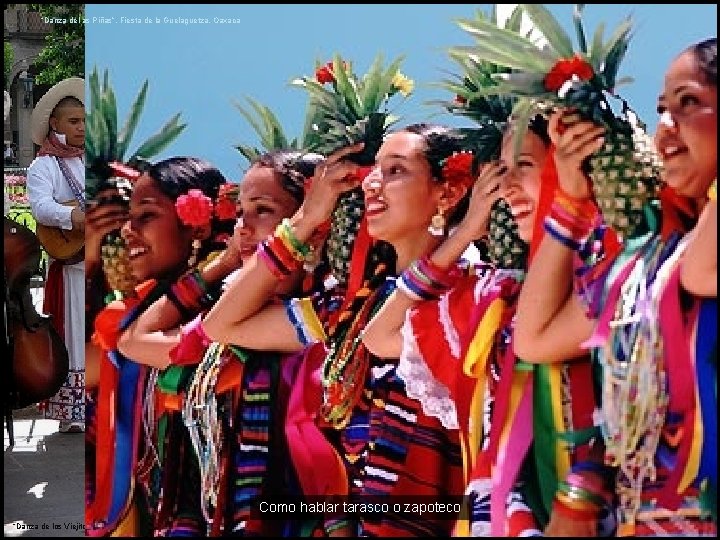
(571, 220)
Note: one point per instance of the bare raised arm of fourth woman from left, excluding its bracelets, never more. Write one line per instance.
(382, 334)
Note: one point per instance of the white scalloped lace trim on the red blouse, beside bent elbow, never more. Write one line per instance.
(420, 385)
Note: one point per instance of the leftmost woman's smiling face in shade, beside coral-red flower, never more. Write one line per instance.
(159, 244)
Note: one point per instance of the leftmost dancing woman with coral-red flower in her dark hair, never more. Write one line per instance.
(124, 458)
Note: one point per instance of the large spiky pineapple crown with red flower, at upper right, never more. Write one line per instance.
(558, 73)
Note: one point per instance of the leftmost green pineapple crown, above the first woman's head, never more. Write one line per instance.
(104, 144)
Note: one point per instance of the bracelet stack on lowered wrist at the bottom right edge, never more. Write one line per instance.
(581, 497)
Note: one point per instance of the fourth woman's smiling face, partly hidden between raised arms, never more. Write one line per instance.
(521, 183)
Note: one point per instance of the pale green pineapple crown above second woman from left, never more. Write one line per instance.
(271, 134)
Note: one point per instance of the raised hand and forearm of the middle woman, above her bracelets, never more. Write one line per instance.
(332, 177)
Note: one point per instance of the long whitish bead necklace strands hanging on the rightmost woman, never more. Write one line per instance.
(635, 387)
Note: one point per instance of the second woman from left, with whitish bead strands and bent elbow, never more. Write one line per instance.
(246, 415)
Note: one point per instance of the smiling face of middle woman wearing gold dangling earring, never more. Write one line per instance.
(401, 195)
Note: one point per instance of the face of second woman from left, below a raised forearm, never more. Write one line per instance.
(262, 205)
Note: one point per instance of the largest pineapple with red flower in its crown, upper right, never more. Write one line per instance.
(625, 173)
